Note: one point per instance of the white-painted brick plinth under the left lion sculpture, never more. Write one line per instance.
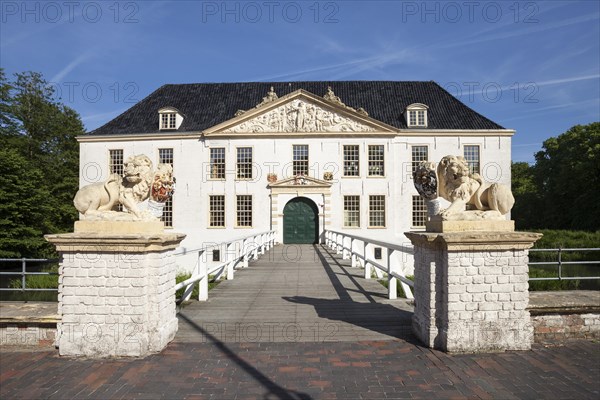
(116, 293)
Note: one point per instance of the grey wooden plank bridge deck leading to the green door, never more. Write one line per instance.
(296, 293)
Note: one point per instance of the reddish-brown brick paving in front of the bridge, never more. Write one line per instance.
(395, 369)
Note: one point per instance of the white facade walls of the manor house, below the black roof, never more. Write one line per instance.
(272, 152)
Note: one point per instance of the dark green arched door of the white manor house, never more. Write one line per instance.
(300, 222)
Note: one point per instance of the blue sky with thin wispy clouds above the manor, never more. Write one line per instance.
(532, 66)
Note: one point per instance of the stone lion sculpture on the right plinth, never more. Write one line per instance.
(468, 191)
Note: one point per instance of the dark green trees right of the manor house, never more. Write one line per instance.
(562, 189)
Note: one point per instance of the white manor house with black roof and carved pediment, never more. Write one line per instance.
(296, 157)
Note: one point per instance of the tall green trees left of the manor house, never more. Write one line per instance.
(39, 158)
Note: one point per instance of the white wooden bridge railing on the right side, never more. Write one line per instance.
(362, 250)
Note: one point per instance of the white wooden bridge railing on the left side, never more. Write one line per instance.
(235, 254)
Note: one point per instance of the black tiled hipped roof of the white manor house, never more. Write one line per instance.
(207, 104)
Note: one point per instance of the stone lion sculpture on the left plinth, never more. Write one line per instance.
(98, 199)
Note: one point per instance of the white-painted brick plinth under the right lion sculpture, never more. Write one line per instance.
(471, 290)
